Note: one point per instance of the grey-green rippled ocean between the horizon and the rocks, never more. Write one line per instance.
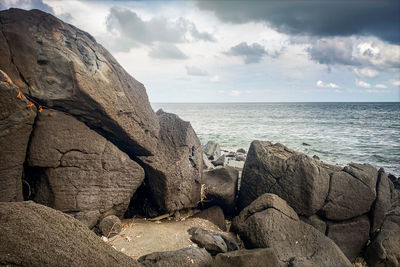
(338, 133)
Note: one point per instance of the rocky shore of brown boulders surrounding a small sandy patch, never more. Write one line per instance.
(91, 176)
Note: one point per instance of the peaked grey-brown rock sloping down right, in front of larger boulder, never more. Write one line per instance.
(269, 222)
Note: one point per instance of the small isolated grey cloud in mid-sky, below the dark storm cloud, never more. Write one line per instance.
(251, 53)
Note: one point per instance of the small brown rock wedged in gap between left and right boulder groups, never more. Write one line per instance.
(221, 187)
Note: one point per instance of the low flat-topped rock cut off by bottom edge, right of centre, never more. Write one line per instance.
(260, 257)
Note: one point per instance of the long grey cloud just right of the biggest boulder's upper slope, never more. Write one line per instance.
(130, 29)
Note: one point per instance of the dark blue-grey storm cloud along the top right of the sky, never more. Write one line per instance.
(323, 18)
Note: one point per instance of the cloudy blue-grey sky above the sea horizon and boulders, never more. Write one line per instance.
(247, 51)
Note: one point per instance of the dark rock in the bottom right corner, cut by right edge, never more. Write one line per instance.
(384, 249)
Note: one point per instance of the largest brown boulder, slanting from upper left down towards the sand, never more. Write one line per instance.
(65, 69)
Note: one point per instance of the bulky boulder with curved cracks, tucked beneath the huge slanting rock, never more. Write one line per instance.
(74, 169)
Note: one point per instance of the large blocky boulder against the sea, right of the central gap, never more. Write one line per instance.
(272, 168)
